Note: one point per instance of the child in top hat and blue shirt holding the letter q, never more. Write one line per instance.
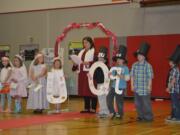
(120, 63)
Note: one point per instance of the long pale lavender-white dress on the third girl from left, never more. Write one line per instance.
(37, 99)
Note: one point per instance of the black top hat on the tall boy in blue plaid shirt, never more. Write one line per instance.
(143, 50)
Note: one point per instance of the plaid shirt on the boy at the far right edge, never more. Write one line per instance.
(174, 73)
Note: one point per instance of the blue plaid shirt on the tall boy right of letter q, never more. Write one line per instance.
(141, 73)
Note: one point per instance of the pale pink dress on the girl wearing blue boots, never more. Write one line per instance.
(20, 74)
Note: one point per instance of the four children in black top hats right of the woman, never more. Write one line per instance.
(141, 84)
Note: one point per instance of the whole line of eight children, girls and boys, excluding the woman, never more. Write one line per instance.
(14, 80)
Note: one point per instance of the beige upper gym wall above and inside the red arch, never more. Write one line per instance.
(123, 20)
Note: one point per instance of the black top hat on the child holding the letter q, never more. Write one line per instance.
(121, 53)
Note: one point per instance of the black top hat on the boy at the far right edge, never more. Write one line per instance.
(175, 57)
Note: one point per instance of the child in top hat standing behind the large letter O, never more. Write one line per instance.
(99, 78)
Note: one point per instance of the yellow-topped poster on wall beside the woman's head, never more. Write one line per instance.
(75, 48)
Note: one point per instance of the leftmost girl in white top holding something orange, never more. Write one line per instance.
(5, 79)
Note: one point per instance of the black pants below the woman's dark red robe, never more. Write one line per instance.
(90, 103)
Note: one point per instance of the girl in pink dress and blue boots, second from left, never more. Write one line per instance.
(18, 83)
